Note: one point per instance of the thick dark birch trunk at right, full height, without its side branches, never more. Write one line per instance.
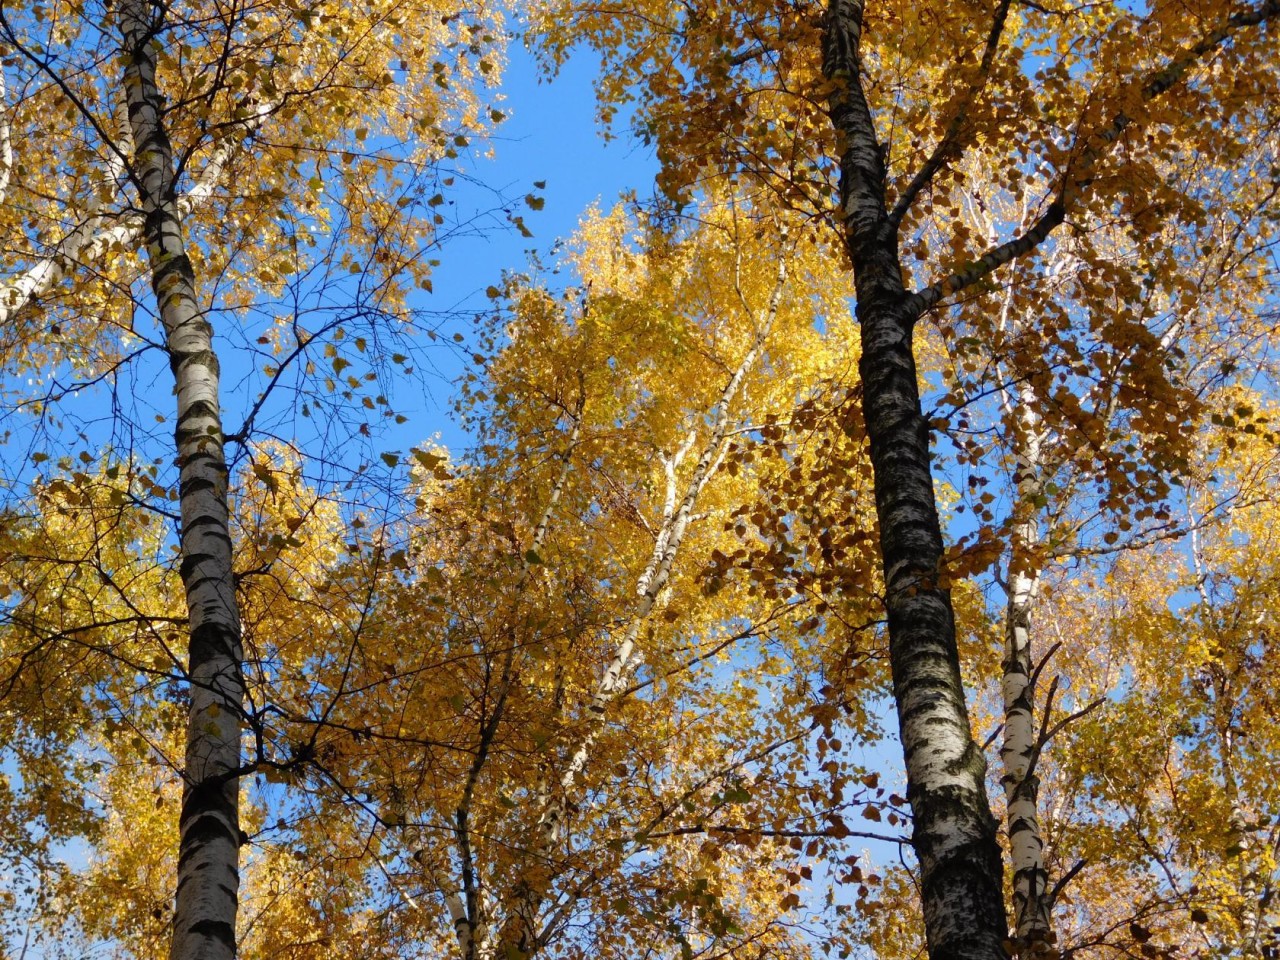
(954, 830)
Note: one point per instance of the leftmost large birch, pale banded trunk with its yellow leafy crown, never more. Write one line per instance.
(194, 150)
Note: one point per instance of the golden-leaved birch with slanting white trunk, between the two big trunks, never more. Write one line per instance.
(593, 779)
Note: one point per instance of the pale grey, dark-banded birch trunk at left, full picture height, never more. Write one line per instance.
(209, 848)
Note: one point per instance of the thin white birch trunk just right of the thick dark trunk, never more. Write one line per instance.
(1021, 748)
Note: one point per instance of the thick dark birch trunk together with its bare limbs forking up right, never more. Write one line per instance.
(959, 858)
